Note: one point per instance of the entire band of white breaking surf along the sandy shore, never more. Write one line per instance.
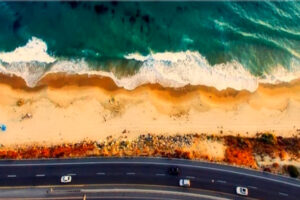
(169, 69)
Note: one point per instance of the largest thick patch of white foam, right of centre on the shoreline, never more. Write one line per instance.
(183, 68)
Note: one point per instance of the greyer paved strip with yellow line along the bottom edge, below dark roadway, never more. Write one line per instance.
(130, 192)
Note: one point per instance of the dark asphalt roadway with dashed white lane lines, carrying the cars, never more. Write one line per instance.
(147, 171)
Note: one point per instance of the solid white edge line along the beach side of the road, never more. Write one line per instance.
(152, 163)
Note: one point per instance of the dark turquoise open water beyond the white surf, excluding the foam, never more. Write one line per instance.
(258, 35)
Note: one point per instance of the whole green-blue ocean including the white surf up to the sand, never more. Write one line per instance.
(218, 44)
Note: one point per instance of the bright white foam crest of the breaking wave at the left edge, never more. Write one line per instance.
(34, 50)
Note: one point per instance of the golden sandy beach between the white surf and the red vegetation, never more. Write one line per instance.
(71, 108)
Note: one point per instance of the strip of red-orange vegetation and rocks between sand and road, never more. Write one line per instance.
(240, 151)
